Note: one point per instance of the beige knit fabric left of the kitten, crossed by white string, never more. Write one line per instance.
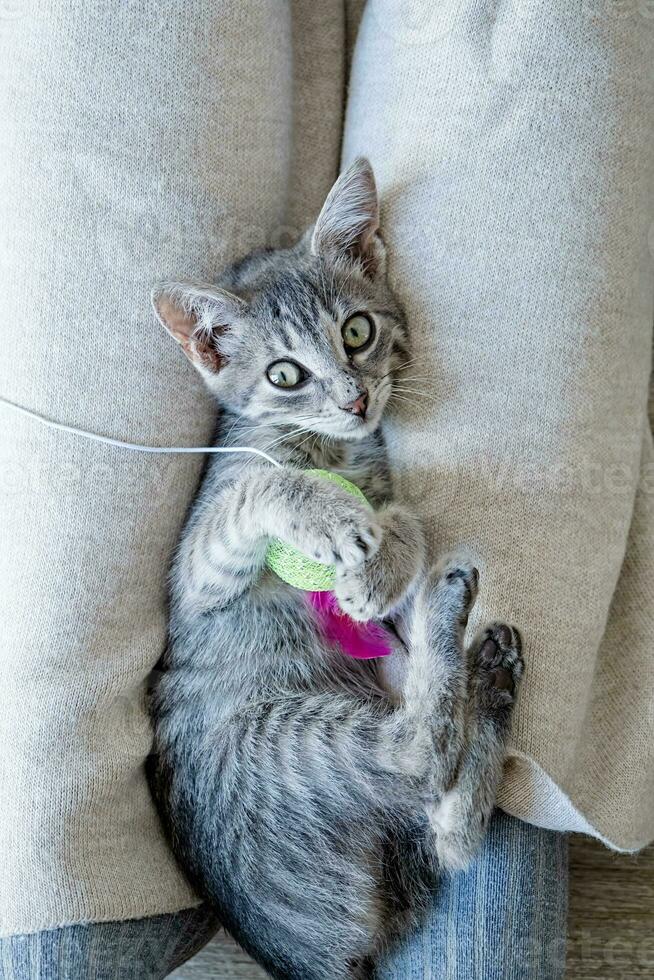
(139, 140)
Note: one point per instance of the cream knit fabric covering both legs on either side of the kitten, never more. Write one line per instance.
(513, 146)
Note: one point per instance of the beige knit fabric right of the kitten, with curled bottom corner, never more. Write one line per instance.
(513, 146)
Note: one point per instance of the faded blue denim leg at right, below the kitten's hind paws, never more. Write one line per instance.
(503, 919)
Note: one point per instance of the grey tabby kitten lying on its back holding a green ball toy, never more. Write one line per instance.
(313, 798)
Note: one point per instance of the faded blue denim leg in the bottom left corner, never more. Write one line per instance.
(137, 949)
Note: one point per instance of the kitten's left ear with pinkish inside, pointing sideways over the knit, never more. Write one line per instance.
(197, 316)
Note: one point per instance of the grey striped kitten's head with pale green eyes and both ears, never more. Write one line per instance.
(307, 337)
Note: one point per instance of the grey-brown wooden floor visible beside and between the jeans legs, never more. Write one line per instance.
(611, 923)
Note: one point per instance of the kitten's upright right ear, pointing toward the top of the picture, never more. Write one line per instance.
(348, 225)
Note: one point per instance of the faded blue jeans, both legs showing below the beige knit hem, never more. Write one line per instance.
(503, 919)
